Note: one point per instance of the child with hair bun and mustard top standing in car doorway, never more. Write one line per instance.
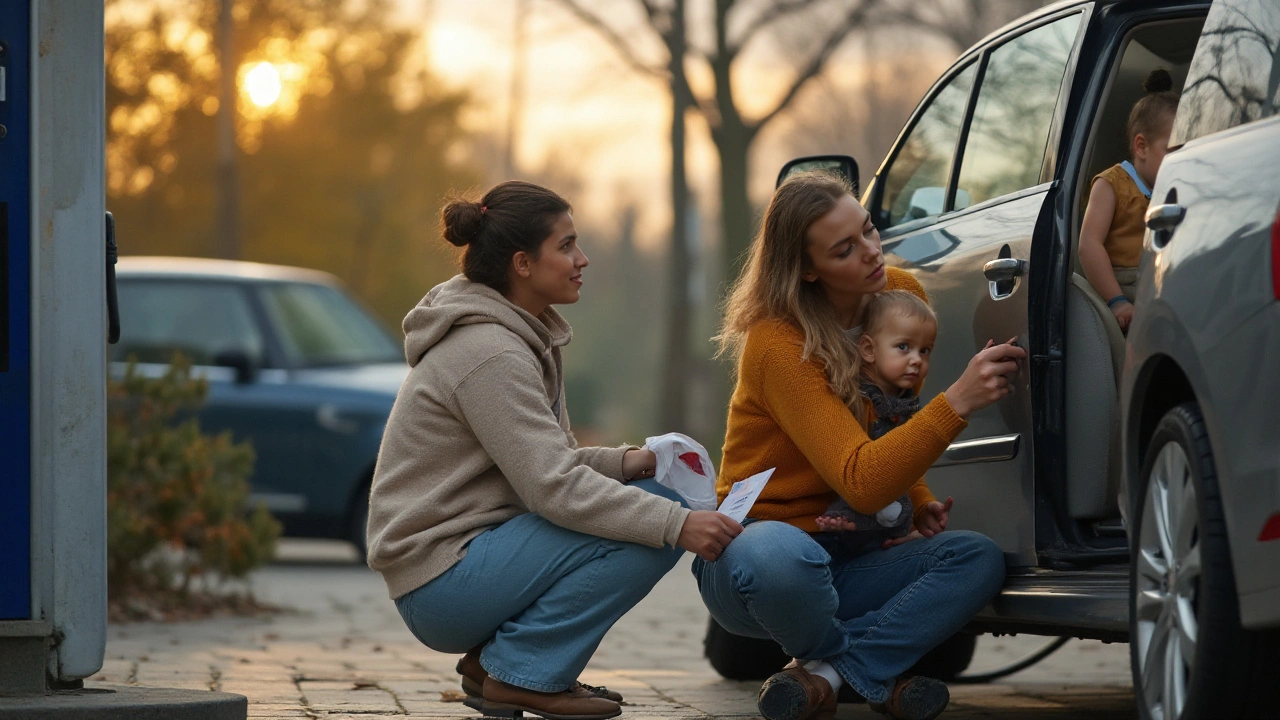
(1113, 229)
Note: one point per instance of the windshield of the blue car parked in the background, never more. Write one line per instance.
(321, 326)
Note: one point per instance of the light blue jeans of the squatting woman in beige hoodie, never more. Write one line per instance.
(542, 596)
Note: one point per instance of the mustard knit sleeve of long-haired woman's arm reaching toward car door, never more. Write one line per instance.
(868, 475)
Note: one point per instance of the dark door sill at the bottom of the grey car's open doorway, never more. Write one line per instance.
(1055, 603)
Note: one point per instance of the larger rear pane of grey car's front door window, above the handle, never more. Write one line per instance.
(1005, 148)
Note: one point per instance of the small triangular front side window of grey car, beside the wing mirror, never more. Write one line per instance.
(916, 181)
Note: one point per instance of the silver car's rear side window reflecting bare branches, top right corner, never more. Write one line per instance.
(1236, 72)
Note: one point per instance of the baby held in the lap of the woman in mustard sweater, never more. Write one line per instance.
(894, 347)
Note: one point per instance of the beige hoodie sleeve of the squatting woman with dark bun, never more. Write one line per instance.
(504, 403)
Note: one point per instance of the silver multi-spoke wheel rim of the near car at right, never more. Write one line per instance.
(1168, 577)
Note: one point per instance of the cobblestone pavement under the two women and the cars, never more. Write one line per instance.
(345, 653)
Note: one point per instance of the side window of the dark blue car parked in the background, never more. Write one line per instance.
(199, 320)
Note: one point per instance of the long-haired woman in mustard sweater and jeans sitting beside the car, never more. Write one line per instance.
(792, 322)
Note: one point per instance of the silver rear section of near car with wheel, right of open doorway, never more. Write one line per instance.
(1201, 391)
